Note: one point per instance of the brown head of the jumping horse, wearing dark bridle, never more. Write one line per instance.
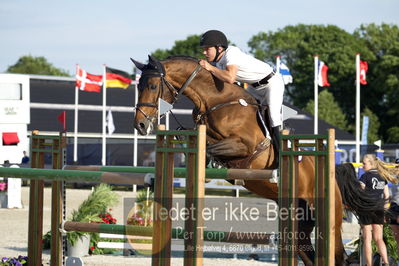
(151, 88)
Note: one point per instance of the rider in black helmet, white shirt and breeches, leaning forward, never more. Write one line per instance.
(230, 64)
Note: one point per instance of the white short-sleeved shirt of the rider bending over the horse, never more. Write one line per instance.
(250, 69)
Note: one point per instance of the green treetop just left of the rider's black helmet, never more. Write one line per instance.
(187, 47)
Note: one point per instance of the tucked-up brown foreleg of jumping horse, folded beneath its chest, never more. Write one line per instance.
(229, 147)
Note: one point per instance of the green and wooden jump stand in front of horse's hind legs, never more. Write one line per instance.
(324, 195)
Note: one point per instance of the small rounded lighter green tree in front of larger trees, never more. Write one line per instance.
(328, 110)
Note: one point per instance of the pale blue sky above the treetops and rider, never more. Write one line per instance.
(94, 33)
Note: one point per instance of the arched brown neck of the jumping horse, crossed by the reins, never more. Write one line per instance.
(204, 90)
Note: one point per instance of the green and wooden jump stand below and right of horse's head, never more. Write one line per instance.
(166, 147)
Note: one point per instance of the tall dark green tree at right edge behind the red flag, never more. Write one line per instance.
(381, 94)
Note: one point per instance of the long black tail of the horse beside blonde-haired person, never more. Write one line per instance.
(356, 199)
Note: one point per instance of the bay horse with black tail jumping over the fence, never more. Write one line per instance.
(234, 135)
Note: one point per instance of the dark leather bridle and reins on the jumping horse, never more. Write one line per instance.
(175, 93)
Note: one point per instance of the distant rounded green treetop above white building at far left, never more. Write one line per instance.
(35, 65)
